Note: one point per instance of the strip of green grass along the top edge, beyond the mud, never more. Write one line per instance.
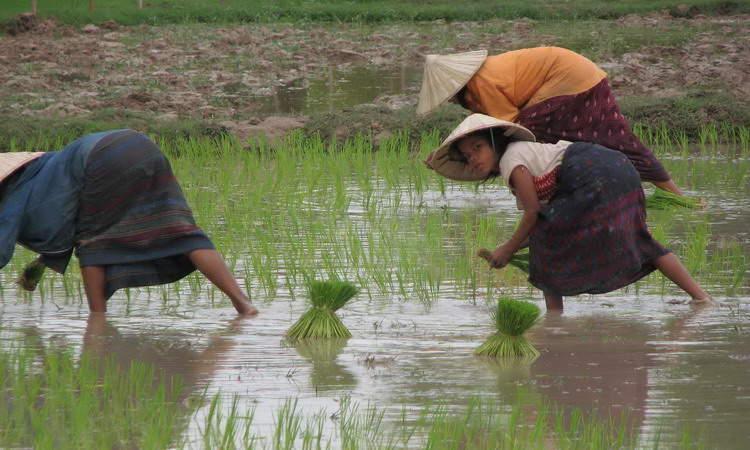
(190, 11)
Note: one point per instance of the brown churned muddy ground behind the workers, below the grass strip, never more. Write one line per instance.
(219, 74)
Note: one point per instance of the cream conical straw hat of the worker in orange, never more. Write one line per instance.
(445, 75)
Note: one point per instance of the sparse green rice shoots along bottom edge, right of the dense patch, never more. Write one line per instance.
(480, 424)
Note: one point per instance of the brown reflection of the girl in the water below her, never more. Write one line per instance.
(600, 363)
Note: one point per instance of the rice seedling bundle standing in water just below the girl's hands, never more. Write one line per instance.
(512, 318)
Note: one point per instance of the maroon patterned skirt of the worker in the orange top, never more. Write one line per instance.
(591, 116)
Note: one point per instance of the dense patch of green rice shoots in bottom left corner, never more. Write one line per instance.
(49, 399)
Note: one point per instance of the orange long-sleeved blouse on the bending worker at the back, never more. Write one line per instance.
(509, 82)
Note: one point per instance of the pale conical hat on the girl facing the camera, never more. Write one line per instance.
(440, 161)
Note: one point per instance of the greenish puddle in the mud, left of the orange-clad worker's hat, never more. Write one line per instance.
(339, 89)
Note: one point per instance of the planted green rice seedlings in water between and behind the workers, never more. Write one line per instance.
(307, 209)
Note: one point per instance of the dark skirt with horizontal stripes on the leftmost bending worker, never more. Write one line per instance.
(132, 216)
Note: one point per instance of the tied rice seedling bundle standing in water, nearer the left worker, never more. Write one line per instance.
(320, 321)
